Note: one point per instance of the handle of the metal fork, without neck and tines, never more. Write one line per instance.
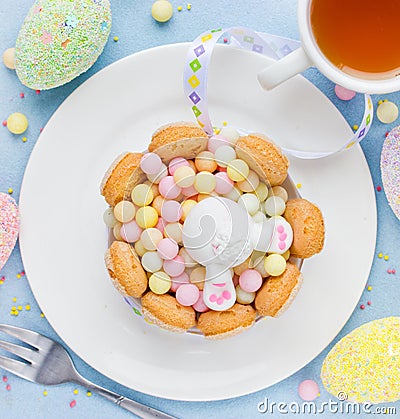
(139, 409)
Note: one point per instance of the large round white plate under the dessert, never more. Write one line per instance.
(63, 238)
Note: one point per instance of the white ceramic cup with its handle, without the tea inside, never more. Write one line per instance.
(309, 55)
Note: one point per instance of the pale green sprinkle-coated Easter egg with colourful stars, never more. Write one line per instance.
(59, 40)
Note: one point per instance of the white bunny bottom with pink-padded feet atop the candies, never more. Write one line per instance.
(219, 234)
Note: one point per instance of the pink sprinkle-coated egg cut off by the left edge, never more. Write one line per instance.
(9, 227)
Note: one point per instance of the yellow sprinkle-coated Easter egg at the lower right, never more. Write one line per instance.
(365, 365)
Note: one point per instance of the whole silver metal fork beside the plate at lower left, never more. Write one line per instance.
(49, 363)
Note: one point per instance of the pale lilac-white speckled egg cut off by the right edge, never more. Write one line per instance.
(390, 169)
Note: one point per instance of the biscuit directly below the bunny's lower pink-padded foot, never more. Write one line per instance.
(222, 324)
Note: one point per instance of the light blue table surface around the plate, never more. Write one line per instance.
(136, 30)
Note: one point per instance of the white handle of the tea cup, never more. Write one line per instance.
(284, 69)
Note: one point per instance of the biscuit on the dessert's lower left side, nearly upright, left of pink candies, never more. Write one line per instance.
(125, 270)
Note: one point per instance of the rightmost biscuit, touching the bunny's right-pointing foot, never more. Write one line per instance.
(308, 227)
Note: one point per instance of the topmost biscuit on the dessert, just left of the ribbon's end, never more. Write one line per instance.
(181, 139)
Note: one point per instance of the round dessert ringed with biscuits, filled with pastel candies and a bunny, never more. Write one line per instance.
(207, 234)
